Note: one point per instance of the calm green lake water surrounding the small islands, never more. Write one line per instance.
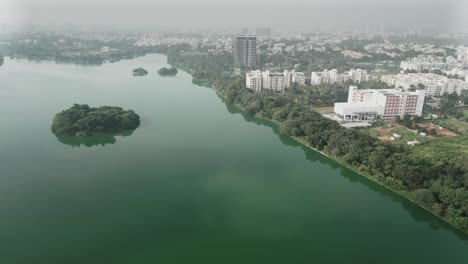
(197, 182)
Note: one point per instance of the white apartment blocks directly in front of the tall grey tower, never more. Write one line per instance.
(273, 81)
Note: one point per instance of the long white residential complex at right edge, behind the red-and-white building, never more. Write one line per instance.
(435, 85)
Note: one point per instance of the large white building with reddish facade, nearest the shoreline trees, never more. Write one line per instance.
(374, 104)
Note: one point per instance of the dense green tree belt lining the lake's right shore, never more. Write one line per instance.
(438, 183)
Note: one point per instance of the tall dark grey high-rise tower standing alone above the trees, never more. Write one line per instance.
(245, 51)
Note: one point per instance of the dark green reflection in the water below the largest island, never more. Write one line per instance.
(92, 141)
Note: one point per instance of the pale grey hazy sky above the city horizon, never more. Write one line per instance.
(216, 14)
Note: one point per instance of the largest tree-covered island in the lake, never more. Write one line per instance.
(82, 121)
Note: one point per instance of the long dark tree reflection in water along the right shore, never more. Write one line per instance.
(417, 214)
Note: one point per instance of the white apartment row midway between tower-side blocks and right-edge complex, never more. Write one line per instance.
(332, 77)
